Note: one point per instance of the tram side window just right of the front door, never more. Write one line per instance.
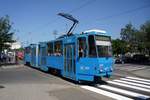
(82, 47)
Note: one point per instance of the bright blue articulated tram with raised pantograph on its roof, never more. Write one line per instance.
(80, 57)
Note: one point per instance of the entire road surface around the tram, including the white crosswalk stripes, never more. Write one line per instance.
(19, 82)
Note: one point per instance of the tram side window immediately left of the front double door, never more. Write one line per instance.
(58, 48)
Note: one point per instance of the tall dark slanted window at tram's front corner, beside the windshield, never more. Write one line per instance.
(92, 48)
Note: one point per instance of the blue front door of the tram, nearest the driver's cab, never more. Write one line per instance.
(69, 61)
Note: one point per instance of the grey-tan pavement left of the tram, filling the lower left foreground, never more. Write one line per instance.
(25, 83)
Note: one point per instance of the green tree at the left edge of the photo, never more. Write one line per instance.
(6, 34)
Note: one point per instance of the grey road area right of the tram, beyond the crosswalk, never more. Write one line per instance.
(134, 70)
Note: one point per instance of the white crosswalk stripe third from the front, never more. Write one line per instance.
(129, 86)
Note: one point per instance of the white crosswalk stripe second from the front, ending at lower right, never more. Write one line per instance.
(129, 93)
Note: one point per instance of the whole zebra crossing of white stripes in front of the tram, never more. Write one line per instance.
(122, 94)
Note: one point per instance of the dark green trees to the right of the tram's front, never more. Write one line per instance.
(133, 40)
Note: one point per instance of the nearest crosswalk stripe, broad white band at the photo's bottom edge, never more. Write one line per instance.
(106, 93)
